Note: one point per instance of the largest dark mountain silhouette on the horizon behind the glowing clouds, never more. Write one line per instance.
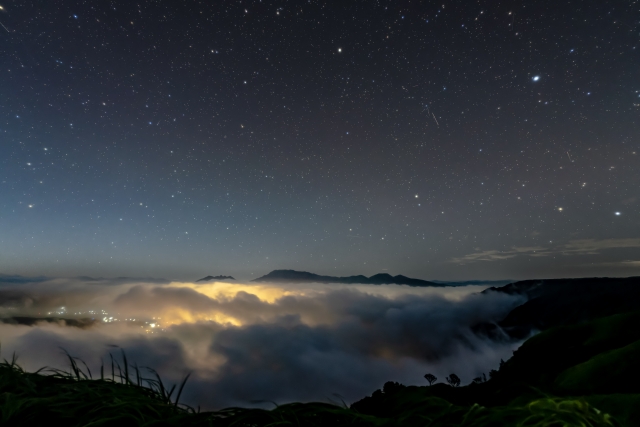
(292, 276)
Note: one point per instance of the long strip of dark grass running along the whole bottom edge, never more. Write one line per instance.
(123, 397)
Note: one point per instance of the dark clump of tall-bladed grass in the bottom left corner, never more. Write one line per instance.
(54, 397)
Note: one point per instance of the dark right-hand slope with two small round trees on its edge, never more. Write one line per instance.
(588, 365)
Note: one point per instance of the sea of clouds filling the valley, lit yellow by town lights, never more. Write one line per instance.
(249, 343)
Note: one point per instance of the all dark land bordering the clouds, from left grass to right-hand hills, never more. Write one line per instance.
(581, 370)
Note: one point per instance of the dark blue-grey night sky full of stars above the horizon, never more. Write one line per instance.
(439, 140)
